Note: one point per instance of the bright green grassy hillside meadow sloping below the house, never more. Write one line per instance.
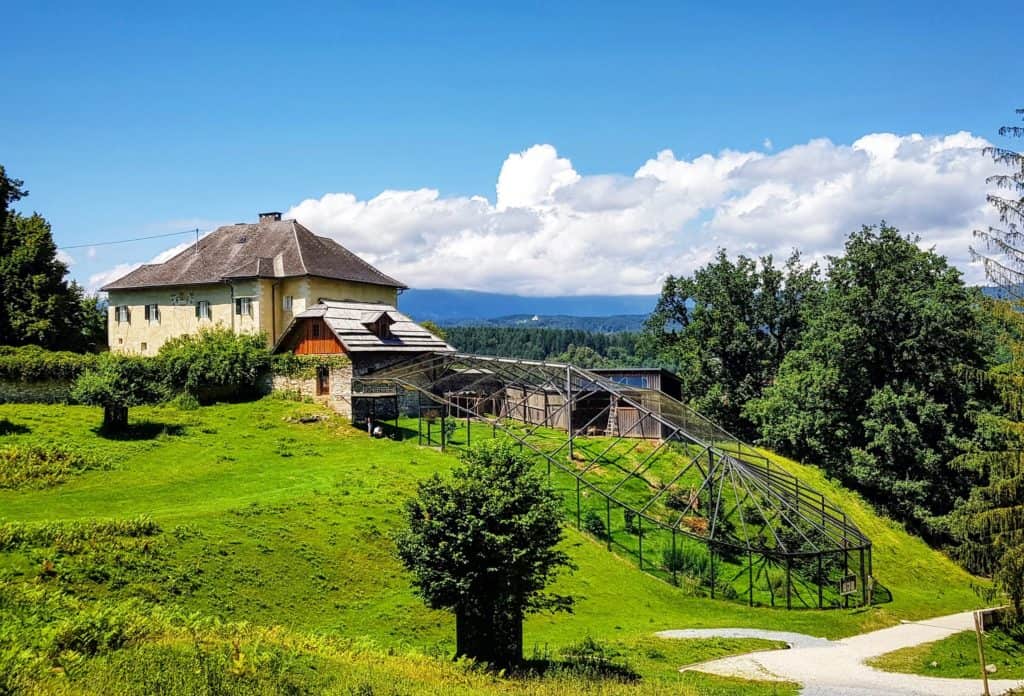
(232, 549)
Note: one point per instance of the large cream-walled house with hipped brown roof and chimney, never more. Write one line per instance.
(253, 278)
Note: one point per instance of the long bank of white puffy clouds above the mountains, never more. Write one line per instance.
(552, 231)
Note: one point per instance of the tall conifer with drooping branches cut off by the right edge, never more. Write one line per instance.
(991, 526)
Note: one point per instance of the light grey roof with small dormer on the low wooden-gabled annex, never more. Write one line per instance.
(349, 322)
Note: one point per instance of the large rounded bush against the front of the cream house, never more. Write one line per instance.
(216, 364)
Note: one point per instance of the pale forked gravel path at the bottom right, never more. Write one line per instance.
(837, 668)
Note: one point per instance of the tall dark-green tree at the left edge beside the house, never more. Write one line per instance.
(37, 304)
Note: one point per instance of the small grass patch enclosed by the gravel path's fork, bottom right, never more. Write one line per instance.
(957, 657)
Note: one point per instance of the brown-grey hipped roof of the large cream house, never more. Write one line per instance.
(269, 249)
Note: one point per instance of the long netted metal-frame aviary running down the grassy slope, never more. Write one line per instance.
(691, 503)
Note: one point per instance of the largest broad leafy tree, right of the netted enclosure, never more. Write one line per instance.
(874, 393)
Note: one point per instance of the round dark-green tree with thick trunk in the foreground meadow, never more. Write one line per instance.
(483, 545)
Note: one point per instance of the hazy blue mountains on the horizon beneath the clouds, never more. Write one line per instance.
(467, 308)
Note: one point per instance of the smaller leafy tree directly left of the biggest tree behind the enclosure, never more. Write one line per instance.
(728, 328)
